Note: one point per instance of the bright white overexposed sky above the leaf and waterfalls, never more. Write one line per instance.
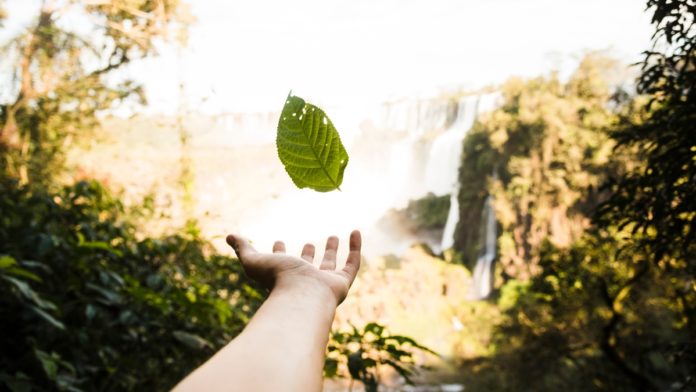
(247, 55)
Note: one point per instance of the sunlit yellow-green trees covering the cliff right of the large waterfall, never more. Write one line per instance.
(542, 156)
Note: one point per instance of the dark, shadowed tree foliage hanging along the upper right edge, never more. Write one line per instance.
(656, 198)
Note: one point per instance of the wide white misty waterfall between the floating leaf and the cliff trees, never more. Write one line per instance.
(416, 145)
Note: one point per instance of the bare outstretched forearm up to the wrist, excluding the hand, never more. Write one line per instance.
(282, 348)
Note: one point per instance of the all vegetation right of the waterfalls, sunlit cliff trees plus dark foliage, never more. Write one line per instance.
(593, 193)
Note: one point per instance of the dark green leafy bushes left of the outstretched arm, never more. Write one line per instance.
(86, 304)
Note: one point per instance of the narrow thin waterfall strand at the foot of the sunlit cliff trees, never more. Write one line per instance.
(483, 271)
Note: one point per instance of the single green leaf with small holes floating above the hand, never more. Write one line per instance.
(309, 146)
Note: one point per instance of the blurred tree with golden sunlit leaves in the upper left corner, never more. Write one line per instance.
(62, 77)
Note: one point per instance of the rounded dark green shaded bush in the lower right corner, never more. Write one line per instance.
(598, 317)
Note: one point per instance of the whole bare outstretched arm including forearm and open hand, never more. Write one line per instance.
(282, 348)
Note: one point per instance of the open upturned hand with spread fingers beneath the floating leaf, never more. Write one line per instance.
(281, 270)
